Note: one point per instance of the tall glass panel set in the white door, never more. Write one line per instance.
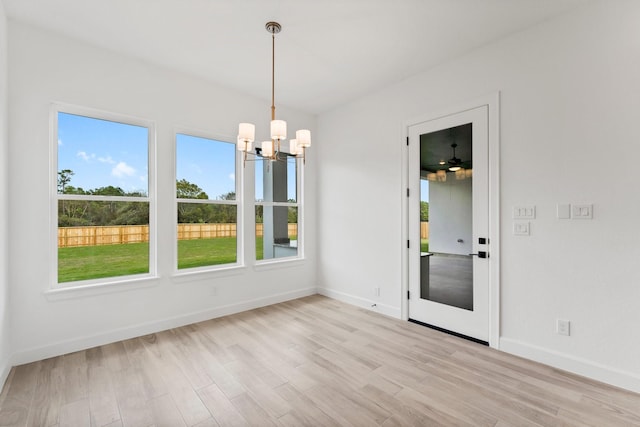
(446, 207)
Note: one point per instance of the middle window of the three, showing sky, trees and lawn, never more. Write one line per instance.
(206, 202)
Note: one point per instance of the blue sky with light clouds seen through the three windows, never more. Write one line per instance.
(102, 153)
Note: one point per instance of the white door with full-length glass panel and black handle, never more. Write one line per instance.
(448, 214)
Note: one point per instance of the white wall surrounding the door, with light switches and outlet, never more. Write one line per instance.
(569, 114)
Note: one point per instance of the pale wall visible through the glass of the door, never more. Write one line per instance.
(450, 216)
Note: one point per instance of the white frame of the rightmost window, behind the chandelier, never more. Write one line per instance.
(299, 204)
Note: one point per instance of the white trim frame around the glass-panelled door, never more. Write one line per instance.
(492, 102)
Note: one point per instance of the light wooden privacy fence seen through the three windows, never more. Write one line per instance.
(121, 234)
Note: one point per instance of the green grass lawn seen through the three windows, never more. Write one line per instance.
(97, 262)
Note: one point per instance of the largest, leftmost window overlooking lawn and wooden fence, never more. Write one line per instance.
(103, 210)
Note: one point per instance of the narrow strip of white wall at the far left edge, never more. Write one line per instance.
(5, 342)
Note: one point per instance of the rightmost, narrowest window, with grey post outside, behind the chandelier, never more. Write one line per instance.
(277, 209)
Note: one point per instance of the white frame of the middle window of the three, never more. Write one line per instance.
(238, 202)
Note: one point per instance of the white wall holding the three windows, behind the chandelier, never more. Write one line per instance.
(45, 67)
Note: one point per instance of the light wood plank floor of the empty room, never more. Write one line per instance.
(308, 362)
